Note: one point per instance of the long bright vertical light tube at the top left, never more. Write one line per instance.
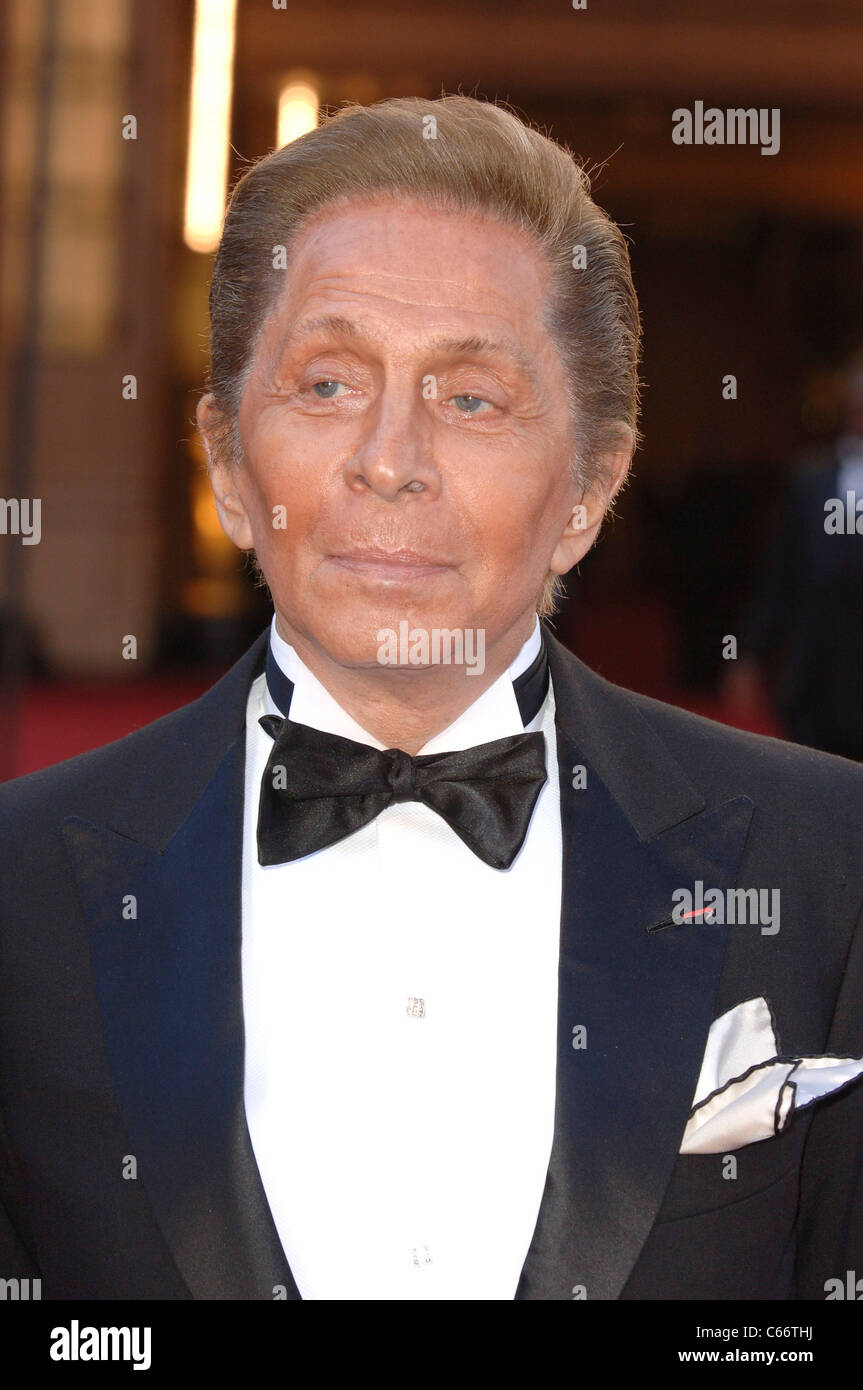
(209, 123)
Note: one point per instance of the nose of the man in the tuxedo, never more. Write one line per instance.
(395, 452)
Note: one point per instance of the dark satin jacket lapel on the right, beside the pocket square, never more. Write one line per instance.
(634, 1004)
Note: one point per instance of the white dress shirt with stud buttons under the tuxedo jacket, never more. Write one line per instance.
(401, 1013)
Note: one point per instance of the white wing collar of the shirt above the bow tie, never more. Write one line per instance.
(493, 715)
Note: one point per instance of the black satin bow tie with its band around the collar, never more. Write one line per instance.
(318, 789)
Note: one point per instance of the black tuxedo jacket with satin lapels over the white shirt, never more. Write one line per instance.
(127, 1163)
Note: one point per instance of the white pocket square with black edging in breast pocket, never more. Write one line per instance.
(750, 1092)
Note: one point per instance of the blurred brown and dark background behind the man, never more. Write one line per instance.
(124, 123)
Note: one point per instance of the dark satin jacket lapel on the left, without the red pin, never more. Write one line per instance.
(172, 999)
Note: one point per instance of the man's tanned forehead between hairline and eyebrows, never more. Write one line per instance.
(404, 265)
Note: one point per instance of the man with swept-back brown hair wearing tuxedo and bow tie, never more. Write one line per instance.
(415, 960)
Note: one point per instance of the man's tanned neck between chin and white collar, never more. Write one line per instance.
(406, 707)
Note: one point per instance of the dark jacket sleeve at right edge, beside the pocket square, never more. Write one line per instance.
(830, 1220)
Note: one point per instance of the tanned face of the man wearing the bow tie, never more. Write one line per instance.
(406, 433)
